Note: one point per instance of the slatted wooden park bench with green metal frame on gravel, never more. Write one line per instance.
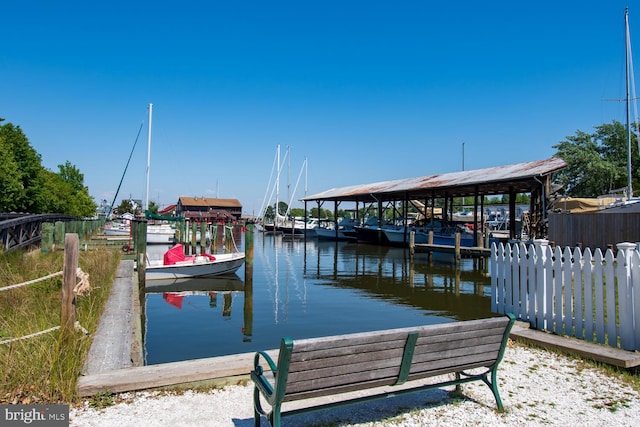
(329, 366)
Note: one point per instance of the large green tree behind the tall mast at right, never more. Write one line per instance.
(597, 162)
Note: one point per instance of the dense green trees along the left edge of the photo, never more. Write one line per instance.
(27, 186)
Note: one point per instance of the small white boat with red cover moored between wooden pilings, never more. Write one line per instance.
(175, 265)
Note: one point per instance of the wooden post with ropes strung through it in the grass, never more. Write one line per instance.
(70, 289)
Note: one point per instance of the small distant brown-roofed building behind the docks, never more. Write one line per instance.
(209, 210)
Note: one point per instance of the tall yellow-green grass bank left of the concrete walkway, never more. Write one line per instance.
(45, 368)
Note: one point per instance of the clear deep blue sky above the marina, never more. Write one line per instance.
(365, 91)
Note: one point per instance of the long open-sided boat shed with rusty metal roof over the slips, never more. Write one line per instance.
(427, 192)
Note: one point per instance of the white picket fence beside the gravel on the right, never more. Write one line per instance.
(579, 294)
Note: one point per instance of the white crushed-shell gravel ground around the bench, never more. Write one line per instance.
(537, 388)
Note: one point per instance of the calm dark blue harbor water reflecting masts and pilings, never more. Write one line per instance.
(307, 290)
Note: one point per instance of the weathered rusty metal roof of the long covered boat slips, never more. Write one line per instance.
(519, 177)
